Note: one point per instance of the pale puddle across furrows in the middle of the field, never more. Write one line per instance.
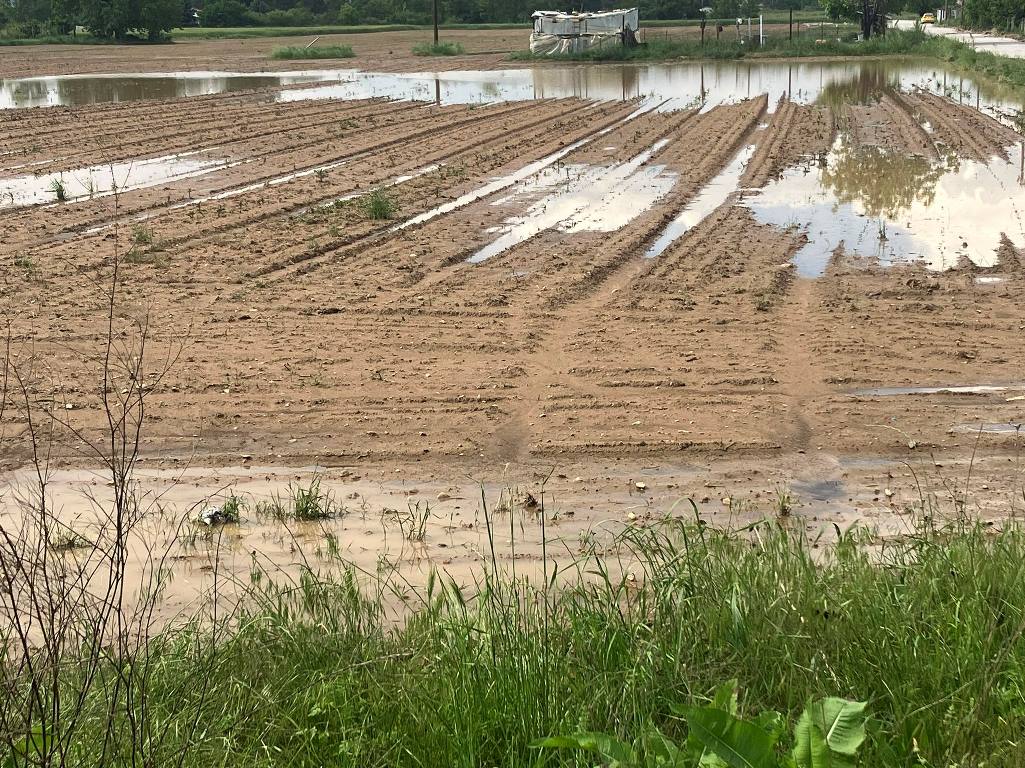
(586, 199)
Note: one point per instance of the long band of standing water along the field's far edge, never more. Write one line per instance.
(677, 84)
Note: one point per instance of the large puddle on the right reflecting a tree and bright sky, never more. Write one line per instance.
(897, 209)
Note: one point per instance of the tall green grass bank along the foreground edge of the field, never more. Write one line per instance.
(926, 628)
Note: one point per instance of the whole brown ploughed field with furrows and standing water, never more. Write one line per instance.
(729, 277)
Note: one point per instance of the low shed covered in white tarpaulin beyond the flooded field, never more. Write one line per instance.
(556, 32)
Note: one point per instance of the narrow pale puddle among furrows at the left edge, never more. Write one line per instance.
(101, 181)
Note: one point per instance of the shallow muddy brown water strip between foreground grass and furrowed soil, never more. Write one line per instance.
(466, 523)
